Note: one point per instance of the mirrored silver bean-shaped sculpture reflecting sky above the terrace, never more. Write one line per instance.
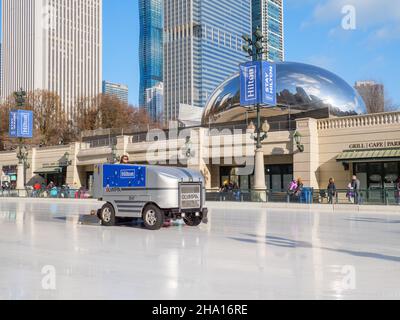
(304, 91)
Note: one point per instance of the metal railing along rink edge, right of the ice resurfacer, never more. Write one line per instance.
(384, 196)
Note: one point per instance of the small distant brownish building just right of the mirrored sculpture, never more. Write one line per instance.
(373, 95)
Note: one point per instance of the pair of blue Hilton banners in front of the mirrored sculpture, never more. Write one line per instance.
(258, 83)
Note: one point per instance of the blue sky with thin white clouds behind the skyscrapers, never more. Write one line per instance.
(313, 34)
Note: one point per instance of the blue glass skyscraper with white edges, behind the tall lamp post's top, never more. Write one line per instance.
(268, 15)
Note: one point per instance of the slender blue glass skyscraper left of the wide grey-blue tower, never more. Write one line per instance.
(151, 46)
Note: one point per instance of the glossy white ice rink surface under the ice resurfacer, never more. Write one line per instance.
(49, 250)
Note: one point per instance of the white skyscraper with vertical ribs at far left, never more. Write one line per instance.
(54, 45)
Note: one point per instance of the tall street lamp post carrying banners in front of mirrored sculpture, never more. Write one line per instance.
(255, 50)
